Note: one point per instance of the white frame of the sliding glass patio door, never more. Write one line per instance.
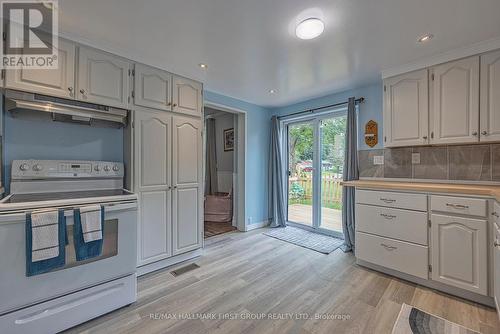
(314, 120)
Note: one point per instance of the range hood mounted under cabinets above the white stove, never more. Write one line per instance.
(64, 110)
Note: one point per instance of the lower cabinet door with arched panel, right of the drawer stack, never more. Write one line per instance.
(460, 252)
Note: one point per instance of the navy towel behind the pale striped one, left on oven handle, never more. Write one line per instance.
(44, 266)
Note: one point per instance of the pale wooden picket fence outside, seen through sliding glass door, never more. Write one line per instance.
(331, 187)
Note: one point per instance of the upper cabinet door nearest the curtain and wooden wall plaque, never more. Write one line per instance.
(406, 109)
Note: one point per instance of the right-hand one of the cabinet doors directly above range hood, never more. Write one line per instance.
(102, 78)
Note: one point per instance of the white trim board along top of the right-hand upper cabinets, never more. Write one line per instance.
(440, 58)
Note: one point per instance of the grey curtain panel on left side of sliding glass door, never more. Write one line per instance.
(277, 204)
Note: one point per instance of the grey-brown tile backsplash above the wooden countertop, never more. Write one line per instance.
(462, 163)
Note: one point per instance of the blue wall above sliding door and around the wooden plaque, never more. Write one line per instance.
(370, 109)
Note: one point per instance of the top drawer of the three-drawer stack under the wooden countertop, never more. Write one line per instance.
(392, 199)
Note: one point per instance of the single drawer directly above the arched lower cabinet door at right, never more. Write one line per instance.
(459, 205)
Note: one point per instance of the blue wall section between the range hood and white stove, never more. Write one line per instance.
(45, 139)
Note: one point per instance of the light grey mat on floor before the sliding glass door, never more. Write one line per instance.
(319, 242)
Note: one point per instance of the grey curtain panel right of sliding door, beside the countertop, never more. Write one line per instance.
(350, 173)
